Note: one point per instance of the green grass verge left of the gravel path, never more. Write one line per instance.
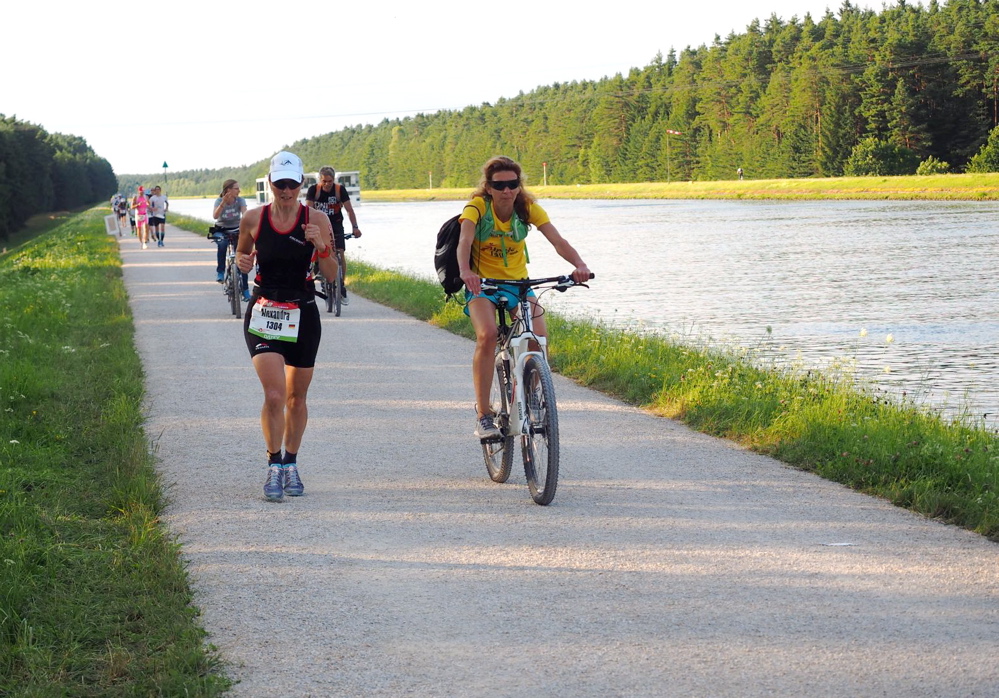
(94, 598)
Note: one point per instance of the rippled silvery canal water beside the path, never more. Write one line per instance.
(907, 292)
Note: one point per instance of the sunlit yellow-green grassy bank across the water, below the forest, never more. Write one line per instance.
(951, 187)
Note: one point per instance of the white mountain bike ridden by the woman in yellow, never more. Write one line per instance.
(523, 393)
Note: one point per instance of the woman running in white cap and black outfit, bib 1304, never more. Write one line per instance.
(282, 327)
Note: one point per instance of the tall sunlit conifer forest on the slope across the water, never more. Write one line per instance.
(906, 90)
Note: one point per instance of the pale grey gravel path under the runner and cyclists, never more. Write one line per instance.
(670, 563)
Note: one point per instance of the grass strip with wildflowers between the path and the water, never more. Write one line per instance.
(830, 424)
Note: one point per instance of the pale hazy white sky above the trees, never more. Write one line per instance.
(206, 85)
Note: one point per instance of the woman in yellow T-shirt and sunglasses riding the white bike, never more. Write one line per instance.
(494, 228)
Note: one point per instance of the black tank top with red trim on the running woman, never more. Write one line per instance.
(283, 258)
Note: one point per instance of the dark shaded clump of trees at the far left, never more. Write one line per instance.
(41, 172)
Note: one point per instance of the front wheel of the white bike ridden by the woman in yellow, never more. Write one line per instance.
(540, 440)
